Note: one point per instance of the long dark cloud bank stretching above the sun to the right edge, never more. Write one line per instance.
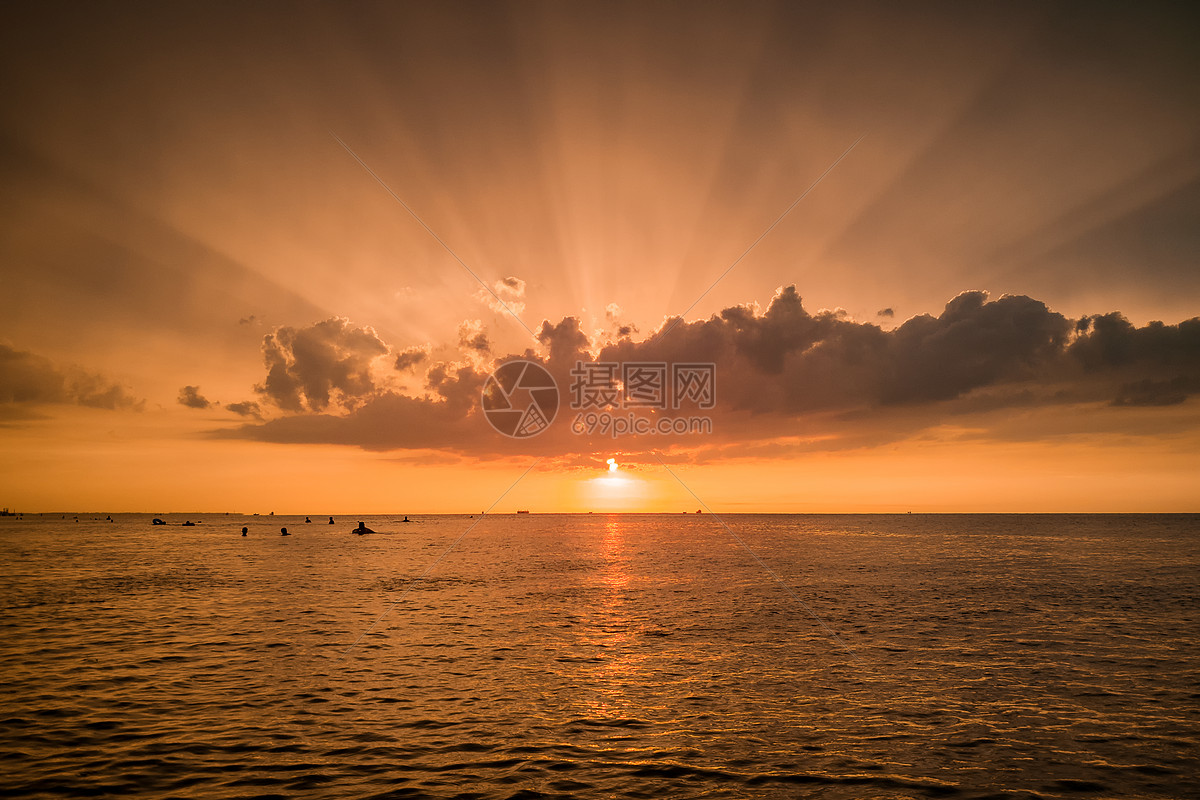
(784, 369)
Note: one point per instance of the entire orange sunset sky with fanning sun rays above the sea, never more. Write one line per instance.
(213, 297)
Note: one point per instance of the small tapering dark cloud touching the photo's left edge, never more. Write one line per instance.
(33, 380)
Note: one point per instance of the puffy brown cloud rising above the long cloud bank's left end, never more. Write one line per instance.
(308, 369)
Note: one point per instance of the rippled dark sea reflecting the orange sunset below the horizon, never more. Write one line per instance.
(603, 657)
